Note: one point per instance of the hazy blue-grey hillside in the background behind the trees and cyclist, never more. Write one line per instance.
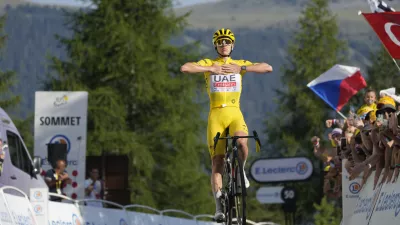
(263, 30)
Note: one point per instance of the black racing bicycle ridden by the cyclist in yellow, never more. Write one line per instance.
(233, 187)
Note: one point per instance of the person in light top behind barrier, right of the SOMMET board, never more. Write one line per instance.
(93, 188)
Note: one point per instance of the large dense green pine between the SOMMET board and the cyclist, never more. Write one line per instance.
(138, 98)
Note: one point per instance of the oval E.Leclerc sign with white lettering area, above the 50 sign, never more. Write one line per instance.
(281, 169)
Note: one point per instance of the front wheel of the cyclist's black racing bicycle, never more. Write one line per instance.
(239, 192)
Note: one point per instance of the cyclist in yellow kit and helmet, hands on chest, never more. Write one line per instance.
(223, 77)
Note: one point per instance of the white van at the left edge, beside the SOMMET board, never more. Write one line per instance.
(19, 170)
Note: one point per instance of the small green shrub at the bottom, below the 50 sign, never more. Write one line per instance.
(327, 213)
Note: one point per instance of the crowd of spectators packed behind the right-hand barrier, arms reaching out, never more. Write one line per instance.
(368, 139)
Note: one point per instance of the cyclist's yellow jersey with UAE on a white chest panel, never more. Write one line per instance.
(224, 90)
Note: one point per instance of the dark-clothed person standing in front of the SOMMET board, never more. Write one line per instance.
(56, 178)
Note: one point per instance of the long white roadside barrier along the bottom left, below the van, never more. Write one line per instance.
(17, 209)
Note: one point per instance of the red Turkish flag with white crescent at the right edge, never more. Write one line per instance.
(387, 26)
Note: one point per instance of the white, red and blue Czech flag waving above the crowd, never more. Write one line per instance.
(337, 85)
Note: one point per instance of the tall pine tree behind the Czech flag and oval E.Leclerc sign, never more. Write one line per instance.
(301, 114)
